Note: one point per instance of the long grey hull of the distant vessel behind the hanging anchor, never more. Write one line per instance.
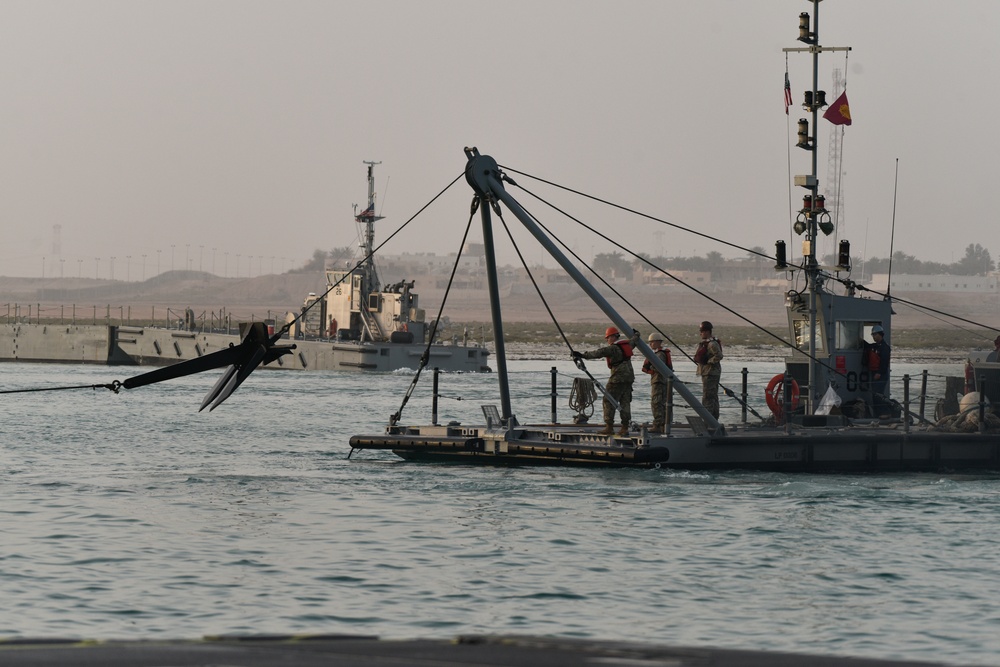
(150, 346)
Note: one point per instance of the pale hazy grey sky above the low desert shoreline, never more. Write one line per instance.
(159, 128)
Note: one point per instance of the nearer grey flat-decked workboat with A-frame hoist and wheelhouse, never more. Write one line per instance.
(831, 328)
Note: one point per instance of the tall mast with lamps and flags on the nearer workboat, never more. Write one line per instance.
(813, 217)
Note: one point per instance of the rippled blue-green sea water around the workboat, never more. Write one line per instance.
(135, 516)
